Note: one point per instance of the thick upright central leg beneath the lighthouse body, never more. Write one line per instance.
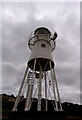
(39, 90)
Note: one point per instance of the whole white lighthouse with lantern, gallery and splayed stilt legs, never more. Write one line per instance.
(40, 71)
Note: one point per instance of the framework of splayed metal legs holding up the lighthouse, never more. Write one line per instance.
(51, 88)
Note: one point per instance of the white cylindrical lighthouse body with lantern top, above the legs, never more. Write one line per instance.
(40, 44)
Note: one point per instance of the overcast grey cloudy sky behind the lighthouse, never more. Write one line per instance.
(19, 20)
